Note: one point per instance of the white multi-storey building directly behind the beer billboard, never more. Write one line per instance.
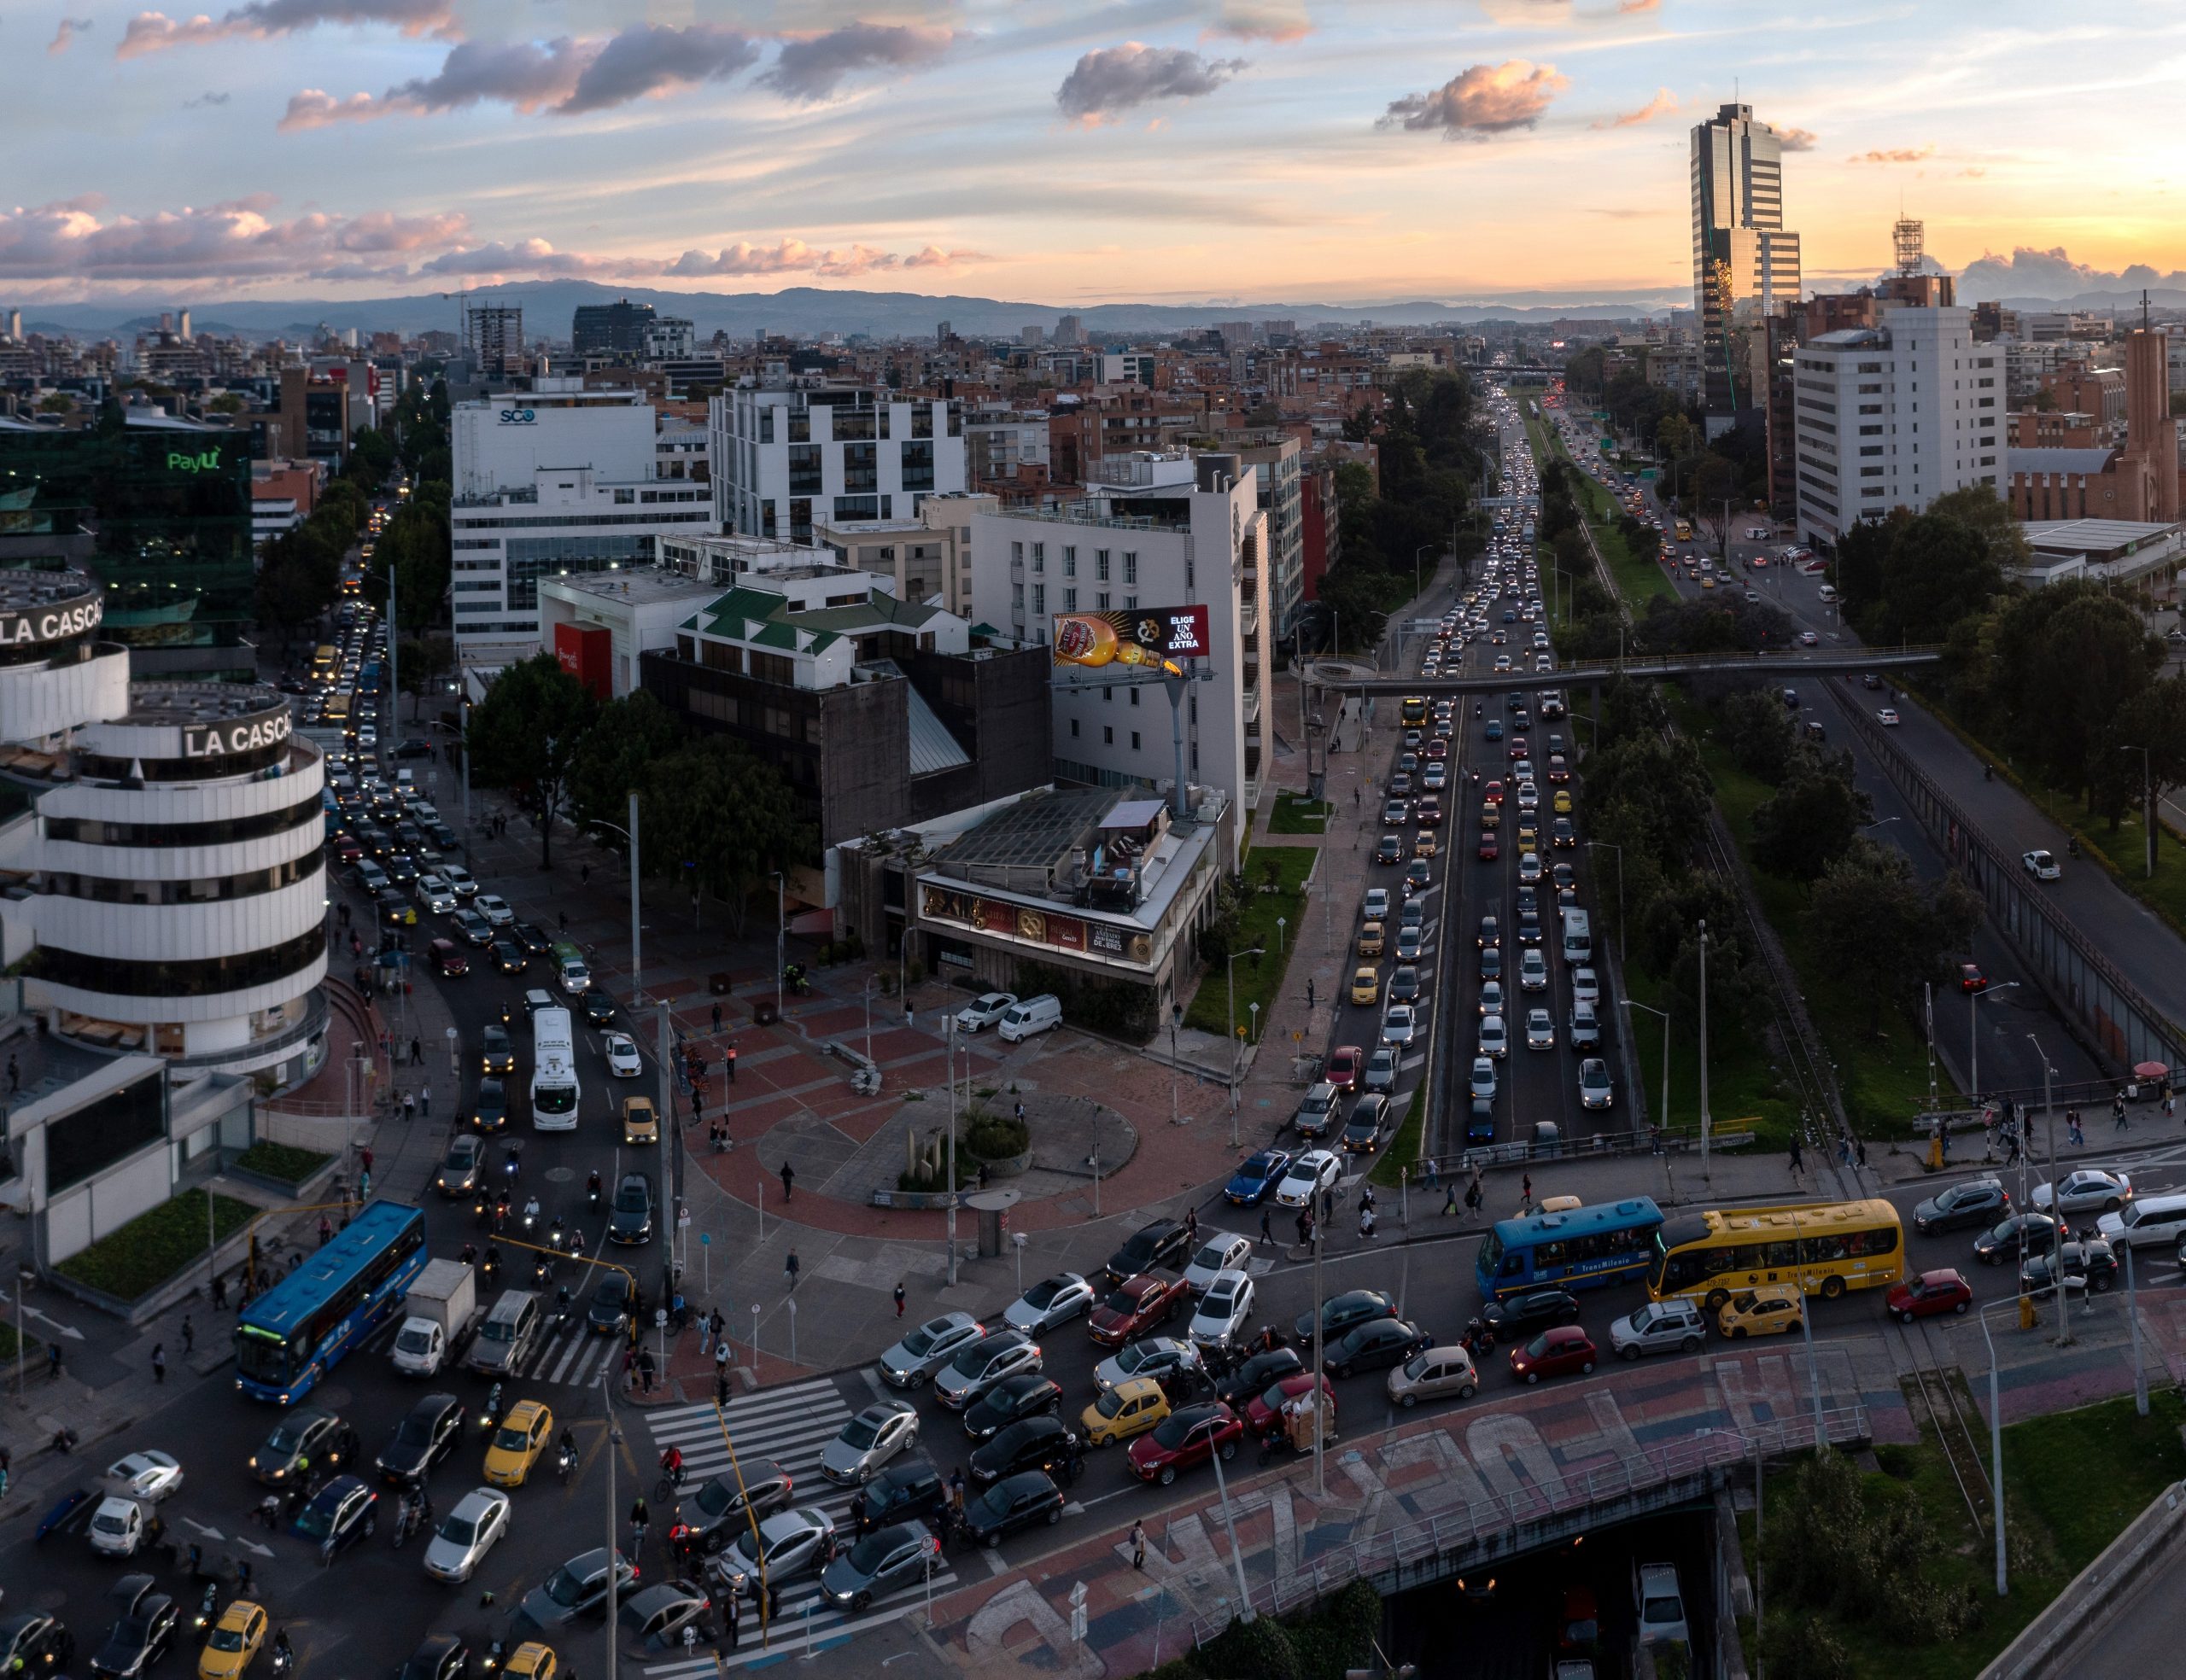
(1155, 532)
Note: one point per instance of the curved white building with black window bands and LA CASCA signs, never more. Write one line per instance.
(167, 892)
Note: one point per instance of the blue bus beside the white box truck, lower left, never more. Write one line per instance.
(301, 1329)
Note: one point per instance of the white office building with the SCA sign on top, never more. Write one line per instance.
(556, 482)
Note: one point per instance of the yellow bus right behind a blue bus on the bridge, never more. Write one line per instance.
(1820, 1246)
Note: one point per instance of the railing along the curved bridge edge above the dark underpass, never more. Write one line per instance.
(1437, 1548)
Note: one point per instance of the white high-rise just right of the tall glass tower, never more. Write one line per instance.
(1894, 416)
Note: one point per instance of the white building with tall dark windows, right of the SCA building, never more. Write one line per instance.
(788, 458)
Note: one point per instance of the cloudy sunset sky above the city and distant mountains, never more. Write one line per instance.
(1074, 154)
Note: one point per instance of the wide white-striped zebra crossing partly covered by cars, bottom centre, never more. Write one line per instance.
(788, 1425)
